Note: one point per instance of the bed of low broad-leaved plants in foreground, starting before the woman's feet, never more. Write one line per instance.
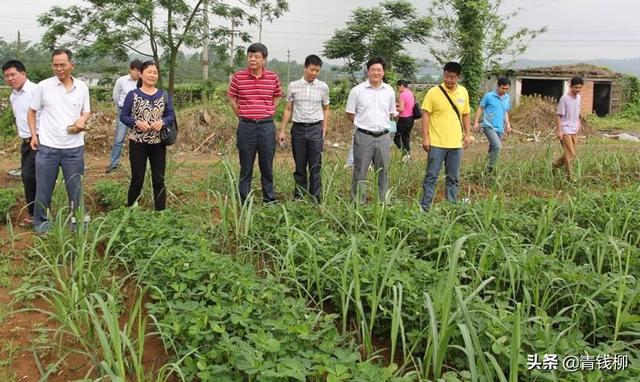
(228, 322)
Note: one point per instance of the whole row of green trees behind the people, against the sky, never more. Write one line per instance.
(107, 33)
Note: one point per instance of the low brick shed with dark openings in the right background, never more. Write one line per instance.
(601, 94)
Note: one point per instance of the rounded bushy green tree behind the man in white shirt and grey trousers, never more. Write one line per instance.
(379, 31)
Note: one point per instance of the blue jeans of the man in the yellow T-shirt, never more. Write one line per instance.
(452, 159)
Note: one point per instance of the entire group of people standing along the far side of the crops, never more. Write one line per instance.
(51, 118)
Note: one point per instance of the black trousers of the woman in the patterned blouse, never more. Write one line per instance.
(157, 156)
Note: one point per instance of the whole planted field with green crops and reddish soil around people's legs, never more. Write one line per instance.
(210, 290)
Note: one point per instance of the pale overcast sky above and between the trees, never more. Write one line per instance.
(578, 29)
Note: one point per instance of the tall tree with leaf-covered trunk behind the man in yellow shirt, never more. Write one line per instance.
(475, 32)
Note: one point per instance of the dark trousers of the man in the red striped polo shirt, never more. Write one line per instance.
(257, 138)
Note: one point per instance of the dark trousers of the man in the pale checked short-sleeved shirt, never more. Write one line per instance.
(306, 145)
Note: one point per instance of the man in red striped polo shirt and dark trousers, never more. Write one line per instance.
(254, 94)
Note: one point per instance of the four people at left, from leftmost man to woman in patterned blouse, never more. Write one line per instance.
(51, 118)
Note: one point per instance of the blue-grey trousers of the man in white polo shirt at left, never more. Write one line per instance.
(48, 162)
